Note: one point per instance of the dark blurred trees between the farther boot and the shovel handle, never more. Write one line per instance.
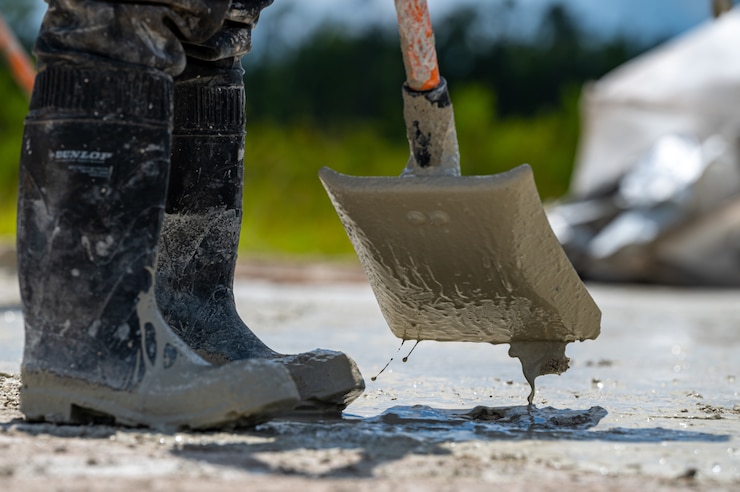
(333, 79)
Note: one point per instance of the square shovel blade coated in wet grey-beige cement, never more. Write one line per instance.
(469, 259)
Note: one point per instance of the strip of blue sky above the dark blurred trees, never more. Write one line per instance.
(644, 21)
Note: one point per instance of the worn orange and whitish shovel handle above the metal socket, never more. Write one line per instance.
(417, 44)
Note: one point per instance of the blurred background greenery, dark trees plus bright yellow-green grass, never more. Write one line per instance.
(335, 101)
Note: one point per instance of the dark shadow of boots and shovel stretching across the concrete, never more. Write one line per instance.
(283, 446)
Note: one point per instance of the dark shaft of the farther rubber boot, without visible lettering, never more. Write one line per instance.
(204, 200)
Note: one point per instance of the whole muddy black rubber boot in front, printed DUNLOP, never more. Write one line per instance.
(93, 179)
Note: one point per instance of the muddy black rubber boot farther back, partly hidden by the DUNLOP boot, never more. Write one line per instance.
(200, 236)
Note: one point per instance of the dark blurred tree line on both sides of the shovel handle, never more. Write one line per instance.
(336, 76)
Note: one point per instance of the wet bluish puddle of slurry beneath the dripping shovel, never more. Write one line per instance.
(428, 425)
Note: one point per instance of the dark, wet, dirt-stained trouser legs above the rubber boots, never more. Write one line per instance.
(159, 34)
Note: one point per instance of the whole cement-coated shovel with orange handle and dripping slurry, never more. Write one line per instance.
(460, 258)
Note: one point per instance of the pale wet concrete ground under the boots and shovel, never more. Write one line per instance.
(652, 404)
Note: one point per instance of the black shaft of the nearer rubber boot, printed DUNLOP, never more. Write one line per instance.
(93, 177)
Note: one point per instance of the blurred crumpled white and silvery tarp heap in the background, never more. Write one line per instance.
(655, 195)
